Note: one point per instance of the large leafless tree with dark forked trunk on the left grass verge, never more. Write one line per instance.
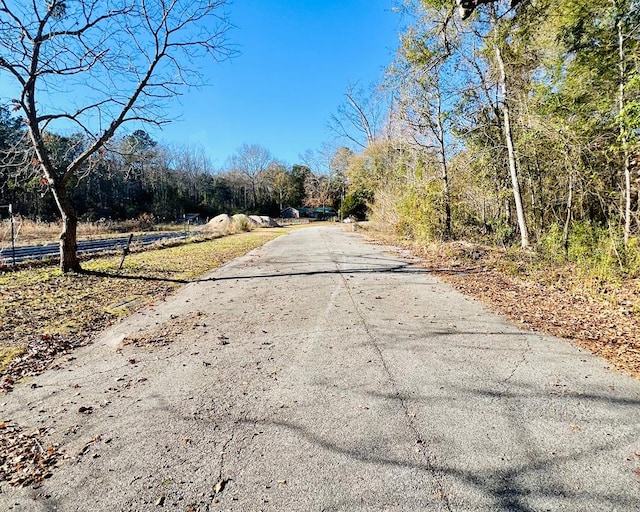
(94, 65)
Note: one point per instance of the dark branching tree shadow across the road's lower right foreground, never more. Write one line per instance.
(517, 486)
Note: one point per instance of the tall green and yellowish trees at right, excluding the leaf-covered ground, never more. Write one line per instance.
(518, 125)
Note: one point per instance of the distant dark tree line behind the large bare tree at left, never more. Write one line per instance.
(138, 176)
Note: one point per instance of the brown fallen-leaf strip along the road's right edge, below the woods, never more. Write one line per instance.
(553, 300)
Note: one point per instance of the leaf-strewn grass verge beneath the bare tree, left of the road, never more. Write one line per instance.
(46, 313)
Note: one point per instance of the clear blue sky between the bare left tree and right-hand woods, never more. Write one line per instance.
(295, 63)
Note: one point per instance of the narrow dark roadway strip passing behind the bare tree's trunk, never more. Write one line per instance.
(51, 250)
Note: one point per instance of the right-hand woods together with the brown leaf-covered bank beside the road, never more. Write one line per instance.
(510, 160)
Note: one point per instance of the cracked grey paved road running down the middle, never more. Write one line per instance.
(323, 373)
